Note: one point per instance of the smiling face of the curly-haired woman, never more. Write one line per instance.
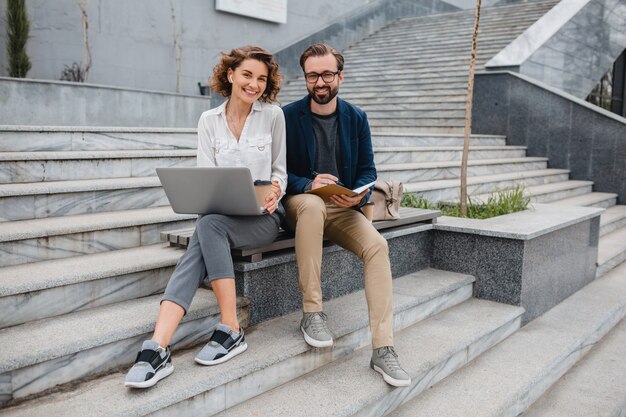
(249, 80)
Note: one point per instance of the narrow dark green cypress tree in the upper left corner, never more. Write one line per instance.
(17, 36)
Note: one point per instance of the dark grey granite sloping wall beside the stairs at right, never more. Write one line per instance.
(573, 134)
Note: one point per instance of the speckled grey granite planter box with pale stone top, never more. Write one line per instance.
(534, 259)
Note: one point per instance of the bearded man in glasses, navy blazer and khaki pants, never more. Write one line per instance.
(328, 141)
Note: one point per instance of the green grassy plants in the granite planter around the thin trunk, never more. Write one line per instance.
(497, 204)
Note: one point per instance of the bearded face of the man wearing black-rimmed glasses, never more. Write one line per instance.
(322, 92)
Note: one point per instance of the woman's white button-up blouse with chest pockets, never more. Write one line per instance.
(261, 146)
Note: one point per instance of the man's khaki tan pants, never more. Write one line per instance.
(313, 221)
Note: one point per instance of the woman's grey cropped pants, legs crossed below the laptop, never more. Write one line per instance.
(208, 254)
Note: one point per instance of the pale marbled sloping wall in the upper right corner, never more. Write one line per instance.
(571, 47)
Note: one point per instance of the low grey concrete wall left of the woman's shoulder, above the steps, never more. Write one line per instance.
(56, 103)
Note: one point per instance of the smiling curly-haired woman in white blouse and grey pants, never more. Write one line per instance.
(247, 130)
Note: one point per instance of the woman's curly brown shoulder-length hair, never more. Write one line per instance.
(219, 81)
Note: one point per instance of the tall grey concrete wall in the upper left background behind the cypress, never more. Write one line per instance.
(132, 41)
